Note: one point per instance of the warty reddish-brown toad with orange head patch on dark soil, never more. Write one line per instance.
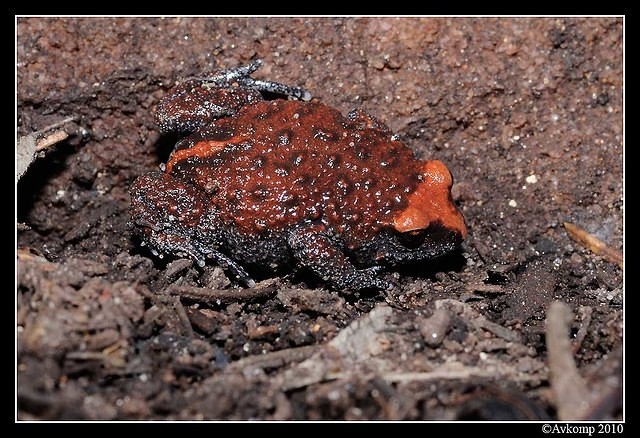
(268, 179)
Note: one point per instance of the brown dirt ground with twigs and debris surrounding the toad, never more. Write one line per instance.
(524, 322)
